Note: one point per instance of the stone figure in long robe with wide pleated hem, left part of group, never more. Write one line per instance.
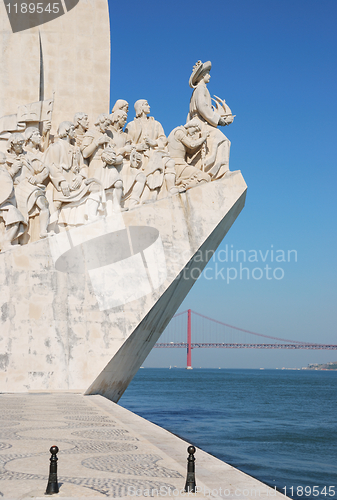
(78, 197)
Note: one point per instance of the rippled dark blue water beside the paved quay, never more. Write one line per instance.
(278, 426)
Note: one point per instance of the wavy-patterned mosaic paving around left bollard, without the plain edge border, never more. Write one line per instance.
(98, 455)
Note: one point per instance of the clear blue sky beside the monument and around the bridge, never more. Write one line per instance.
(275, 64)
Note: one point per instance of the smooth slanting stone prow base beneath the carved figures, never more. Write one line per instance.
(69, 303)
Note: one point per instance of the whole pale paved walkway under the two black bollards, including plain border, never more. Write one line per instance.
(104, 451)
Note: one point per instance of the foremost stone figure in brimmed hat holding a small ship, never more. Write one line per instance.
(214, 157)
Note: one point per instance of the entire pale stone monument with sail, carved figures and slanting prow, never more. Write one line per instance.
(103, 229)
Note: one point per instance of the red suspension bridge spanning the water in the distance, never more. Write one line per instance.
(209, 333)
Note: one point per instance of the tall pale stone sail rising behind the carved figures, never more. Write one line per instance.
(76, 62)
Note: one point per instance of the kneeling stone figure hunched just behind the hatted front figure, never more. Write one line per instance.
(181, 141)
